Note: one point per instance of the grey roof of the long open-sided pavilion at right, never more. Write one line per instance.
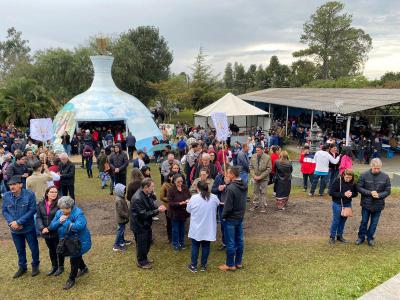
(344, 100)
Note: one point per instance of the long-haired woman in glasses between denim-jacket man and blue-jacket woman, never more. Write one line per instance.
(46, 210)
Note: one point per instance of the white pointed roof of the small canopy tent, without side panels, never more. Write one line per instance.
(232, 106)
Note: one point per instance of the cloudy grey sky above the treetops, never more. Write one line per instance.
(229, 30)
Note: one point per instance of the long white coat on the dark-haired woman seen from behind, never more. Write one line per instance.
(203, 218)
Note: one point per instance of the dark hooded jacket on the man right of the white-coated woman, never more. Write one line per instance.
(235, 200)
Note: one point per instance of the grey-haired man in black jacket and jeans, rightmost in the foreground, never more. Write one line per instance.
(374, 186)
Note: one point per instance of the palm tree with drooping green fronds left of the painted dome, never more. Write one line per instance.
(23, 99)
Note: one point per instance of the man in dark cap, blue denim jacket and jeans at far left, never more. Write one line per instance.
(19, 207)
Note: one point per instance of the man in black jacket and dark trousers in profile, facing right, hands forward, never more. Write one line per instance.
(143, 210)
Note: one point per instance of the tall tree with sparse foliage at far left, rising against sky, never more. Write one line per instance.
(12, 51)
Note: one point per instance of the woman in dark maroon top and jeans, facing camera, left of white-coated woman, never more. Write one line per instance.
(178, 196)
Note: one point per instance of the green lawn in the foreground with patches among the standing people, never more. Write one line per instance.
(304, 267)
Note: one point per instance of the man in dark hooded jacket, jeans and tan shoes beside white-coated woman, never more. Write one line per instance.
(233, 214)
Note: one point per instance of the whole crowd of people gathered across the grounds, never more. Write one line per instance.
(202, 180)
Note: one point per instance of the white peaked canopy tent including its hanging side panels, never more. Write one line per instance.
(238, 111)
